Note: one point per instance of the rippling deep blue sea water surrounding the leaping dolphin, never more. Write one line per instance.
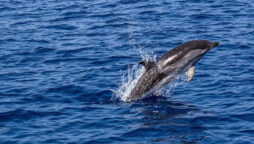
(60, 61)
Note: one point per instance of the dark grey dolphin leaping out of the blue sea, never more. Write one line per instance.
(168, 67)
